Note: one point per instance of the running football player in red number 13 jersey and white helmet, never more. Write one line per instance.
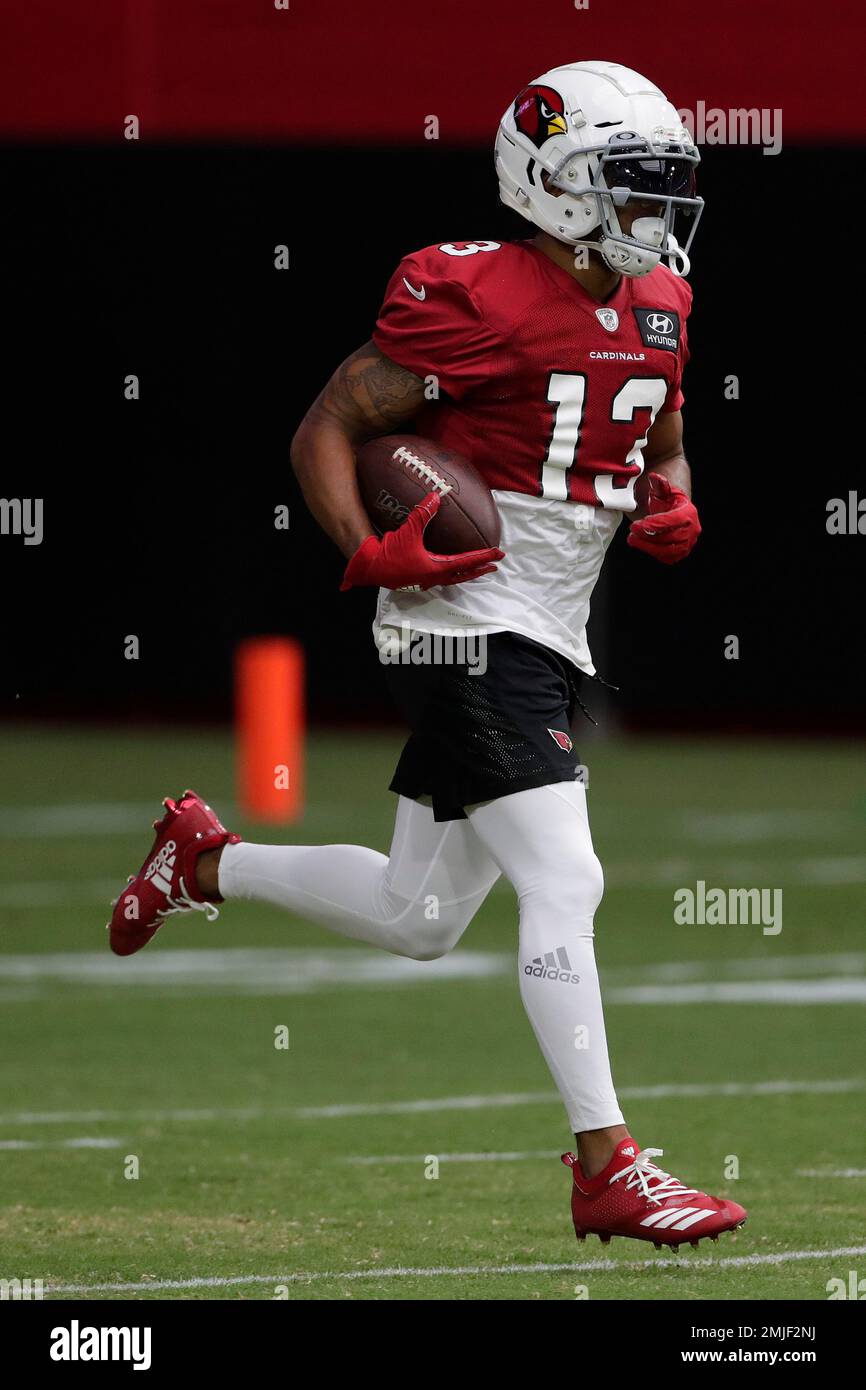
(558, 365)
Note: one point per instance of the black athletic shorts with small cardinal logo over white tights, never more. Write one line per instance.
(476, 737)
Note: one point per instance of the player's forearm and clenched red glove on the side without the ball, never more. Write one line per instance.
(668, 525)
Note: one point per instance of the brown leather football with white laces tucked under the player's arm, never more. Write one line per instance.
(397, 472)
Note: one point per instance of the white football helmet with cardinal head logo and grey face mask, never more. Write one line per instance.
(605, 137)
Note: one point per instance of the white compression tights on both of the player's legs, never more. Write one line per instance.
(420, 900)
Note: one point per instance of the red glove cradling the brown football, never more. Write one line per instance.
(401, 561)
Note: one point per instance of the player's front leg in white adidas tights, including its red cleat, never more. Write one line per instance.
(541, 840)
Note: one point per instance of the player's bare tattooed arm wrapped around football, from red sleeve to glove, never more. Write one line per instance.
(368, 395)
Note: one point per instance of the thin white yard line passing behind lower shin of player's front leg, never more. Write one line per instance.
(503, 1100)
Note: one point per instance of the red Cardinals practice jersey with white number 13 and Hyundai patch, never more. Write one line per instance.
(547, 391)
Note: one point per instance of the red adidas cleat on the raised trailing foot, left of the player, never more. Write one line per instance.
(166, 883)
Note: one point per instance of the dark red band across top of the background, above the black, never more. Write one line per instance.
(337, 72)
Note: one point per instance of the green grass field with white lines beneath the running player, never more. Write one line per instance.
(301, 1172)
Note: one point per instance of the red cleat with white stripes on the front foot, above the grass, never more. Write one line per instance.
(635, 1197)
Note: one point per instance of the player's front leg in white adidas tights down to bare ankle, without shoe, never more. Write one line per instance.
(541, 842)
